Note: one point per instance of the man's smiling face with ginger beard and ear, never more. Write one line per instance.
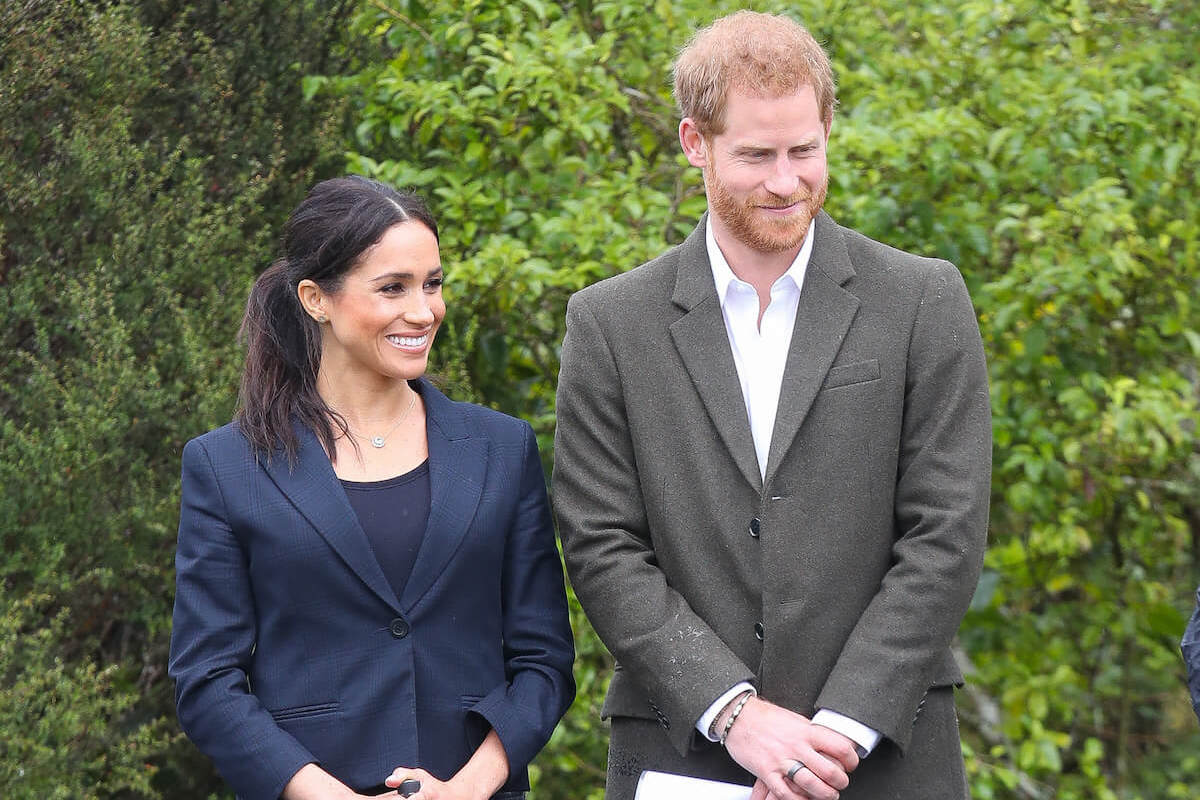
(766, 176)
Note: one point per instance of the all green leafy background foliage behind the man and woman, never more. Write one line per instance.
(151, 152)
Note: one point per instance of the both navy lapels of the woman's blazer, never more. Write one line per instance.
(458, 468)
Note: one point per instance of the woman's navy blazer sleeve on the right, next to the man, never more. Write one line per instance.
(539, 648)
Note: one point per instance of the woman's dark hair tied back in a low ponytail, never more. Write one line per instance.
(323, 240)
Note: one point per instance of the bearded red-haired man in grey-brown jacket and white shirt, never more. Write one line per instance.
(772, 464)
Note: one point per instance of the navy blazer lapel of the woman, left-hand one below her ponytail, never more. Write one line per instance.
(314, 490)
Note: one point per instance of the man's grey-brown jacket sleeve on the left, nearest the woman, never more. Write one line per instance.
(680, 663)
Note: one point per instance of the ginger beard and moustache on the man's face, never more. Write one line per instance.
(760, 232)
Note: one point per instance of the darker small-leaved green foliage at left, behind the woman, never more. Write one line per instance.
(149, 153)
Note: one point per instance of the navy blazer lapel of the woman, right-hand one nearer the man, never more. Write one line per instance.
(458, 470)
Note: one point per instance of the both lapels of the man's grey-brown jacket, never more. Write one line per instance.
(823, 320)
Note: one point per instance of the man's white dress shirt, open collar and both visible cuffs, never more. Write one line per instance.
(760, 354)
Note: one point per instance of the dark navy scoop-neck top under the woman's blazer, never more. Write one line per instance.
(393, 514)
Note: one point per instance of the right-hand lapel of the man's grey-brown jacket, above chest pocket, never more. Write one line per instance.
(823, 318)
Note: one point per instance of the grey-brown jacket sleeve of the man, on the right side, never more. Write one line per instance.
(941, 515)
